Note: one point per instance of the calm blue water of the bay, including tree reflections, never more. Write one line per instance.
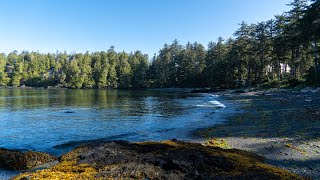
(44, 120)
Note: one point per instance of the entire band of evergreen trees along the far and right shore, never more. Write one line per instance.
(283, 48)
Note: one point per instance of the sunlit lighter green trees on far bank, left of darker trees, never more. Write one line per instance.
(89, 70)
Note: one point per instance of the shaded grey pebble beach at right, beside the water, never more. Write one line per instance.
(280, 125)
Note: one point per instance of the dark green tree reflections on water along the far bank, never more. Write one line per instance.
(129, 102)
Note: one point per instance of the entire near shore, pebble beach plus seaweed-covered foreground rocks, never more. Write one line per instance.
(275, 135)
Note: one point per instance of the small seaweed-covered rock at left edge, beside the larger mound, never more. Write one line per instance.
(16, 160)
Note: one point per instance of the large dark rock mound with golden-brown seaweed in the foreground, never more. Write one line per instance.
(154, 160)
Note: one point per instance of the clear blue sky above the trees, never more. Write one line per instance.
(146, 25)
